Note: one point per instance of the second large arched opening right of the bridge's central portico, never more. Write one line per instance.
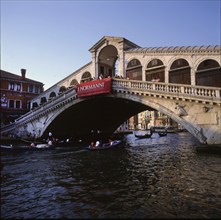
(155, 71)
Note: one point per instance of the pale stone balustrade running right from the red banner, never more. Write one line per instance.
(200, 93)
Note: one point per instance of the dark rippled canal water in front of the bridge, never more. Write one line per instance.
(160, 177)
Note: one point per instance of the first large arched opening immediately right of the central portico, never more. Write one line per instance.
(134, 70)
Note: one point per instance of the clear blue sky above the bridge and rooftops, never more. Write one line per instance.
(51, 39)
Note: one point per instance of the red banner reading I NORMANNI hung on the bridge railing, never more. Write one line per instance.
(94, 87)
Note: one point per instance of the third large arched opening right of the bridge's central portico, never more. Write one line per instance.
(180, 72)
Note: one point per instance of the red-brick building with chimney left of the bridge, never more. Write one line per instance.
(16, 94)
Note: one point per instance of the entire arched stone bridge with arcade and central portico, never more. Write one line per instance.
(183, 83)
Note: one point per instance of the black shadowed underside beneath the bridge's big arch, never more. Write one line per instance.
(103, 113)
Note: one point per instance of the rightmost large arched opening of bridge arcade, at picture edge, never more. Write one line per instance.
(208, 74)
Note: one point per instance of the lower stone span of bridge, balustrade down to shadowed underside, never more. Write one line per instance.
(196, 108)
